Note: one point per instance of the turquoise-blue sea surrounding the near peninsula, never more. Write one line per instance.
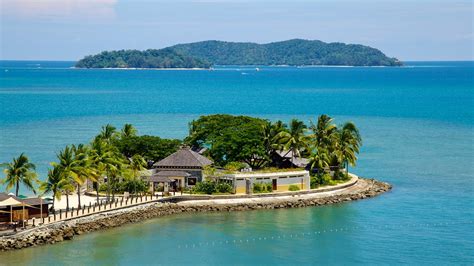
(417, 124)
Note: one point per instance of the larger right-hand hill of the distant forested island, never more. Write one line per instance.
(294, 52)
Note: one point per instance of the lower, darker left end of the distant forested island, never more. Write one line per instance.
(162, 58)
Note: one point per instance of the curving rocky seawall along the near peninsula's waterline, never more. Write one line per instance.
(53, 233)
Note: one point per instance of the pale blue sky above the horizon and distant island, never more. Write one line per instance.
(71, 29)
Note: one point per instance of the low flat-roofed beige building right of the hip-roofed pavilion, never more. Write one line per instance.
(281, 181)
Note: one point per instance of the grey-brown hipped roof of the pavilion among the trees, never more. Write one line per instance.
(184, 158)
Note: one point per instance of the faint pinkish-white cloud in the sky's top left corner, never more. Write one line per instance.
(103, 9)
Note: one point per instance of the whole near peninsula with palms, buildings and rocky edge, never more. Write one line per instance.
(226, 163)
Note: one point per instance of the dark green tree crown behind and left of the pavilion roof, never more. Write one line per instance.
(151, 148)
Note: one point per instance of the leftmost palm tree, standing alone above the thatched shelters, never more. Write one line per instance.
(20, 171)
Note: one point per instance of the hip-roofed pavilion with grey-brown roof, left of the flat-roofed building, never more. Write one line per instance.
(181, 169)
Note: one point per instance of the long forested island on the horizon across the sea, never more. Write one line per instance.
(205, 54)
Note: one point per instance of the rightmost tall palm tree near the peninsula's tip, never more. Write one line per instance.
(349, 143)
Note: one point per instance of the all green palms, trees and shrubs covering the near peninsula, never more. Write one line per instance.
(115, 160)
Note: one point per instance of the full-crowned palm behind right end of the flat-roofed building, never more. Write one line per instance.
(294, 140)
